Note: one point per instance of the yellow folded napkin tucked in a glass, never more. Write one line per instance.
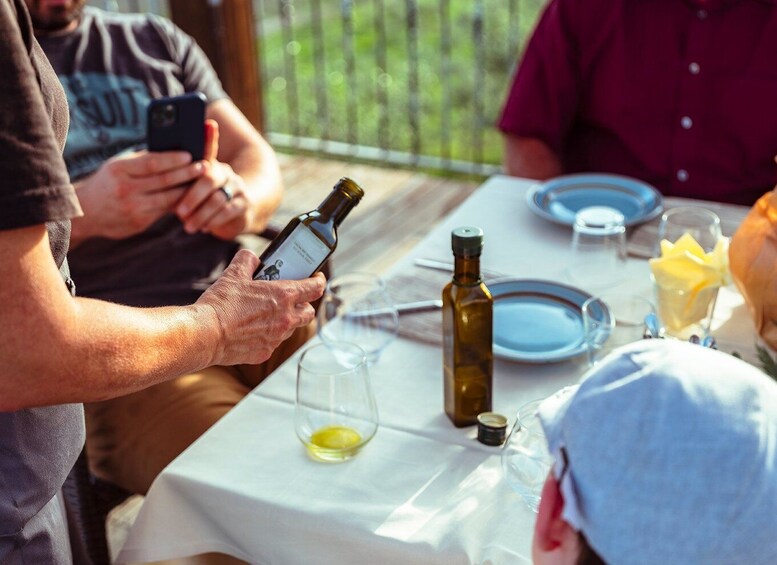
(688, 279)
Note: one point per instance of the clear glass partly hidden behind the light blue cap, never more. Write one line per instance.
(525, 457)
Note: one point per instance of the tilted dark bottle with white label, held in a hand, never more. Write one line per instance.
(310, 238)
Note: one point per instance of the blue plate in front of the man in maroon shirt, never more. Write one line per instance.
(560, 198)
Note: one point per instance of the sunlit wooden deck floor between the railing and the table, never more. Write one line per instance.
(398, 209)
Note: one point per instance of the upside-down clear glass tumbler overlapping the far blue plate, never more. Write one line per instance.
(598, 248)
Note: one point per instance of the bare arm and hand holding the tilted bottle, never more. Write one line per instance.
(57, 349)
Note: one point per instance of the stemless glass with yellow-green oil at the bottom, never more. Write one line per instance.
(335, 414)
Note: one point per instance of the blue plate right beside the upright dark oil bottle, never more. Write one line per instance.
(538, 321)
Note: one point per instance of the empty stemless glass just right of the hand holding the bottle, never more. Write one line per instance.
(356, 308)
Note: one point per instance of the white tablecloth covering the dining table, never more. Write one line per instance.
(422, 490)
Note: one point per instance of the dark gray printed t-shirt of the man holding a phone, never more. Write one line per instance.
(110, 68)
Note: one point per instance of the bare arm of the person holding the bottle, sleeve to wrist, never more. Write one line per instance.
(58, 349)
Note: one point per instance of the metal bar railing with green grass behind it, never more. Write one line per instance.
(416, 83)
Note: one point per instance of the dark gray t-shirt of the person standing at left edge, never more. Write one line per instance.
(37, 446)
